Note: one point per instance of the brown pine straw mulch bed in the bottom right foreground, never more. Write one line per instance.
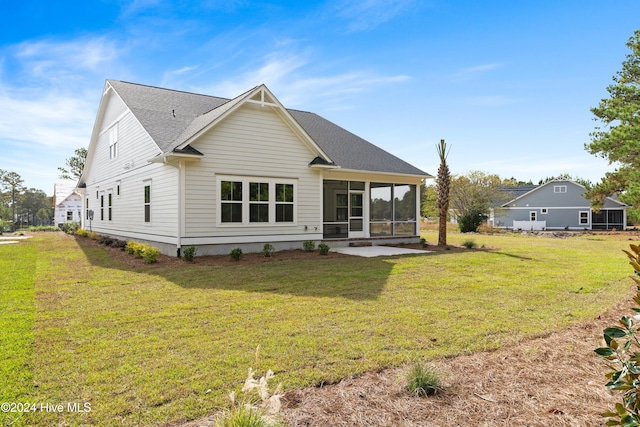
(555, 380)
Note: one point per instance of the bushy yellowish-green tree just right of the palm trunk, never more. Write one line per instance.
(473, 196)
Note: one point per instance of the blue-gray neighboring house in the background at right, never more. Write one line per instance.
(557, 205)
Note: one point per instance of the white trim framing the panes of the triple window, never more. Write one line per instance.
(246, 180)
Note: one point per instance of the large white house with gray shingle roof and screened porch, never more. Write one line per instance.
(181, 169)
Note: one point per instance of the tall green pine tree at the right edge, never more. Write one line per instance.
(619, 139)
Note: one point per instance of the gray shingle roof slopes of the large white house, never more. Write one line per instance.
(171, 117)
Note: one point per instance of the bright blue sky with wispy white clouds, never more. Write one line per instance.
(508, 84)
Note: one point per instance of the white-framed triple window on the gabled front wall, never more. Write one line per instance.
(251, 200)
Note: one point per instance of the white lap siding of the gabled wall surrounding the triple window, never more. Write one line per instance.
(253, 141)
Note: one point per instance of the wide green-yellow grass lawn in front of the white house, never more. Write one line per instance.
(153, 344)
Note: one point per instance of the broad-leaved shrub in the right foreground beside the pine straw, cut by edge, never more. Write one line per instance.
(621, 354)
